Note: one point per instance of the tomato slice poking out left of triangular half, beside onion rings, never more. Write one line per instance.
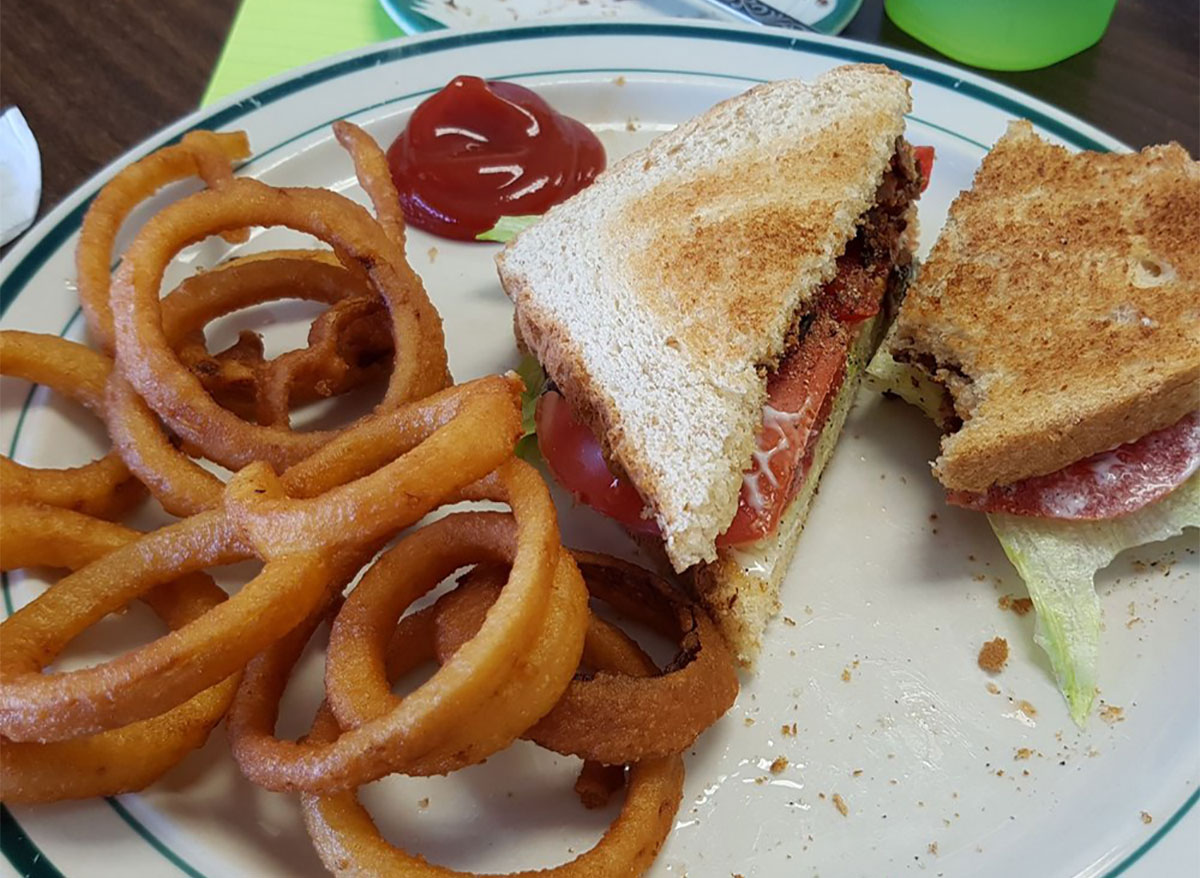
(577, 460)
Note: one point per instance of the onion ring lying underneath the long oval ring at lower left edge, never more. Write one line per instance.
(123, 760)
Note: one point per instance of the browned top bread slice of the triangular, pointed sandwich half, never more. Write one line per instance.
(656, 297)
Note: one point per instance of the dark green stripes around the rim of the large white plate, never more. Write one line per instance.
(16, 845)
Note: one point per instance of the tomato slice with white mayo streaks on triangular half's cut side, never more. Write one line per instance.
(797, 404)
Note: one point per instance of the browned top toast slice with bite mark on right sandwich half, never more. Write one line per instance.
(1061, 305)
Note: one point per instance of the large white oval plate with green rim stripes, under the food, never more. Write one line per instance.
(890, 585)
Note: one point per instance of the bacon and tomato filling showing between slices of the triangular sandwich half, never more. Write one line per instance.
(802, 387)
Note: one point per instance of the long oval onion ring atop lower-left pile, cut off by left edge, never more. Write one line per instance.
(160, 676)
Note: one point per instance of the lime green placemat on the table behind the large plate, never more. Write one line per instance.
(272, 37)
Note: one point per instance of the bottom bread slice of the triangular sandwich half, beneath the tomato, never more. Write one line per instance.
(741, 590)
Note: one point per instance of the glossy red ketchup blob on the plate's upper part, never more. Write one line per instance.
(481, 151)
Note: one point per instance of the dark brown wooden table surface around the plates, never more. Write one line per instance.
(94, 83)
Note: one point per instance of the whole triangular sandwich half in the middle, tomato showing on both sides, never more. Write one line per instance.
(704, 314)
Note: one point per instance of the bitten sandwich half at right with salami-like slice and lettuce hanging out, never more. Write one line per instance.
(1055, 334)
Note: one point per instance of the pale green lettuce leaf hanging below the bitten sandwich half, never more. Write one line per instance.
(1059, 562)
